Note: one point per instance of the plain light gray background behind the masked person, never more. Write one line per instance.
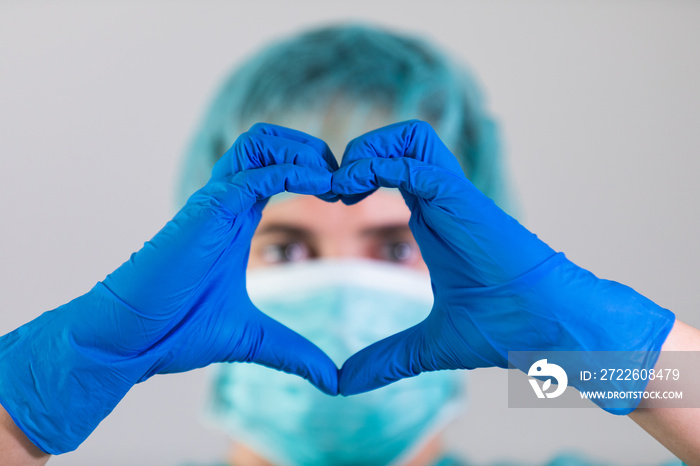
(599, 104)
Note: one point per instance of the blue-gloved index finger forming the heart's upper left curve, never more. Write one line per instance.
(244, 189)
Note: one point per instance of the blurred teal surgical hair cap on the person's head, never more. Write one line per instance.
(352, 72)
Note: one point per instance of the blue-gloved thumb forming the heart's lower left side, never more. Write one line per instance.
(283, 349)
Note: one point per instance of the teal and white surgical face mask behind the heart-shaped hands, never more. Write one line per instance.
(341, 306)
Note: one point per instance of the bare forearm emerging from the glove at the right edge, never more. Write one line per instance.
(678, 429)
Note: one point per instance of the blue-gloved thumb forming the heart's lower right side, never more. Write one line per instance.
(391, 359)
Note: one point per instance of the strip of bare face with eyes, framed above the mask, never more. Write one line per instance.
(305, 228)
